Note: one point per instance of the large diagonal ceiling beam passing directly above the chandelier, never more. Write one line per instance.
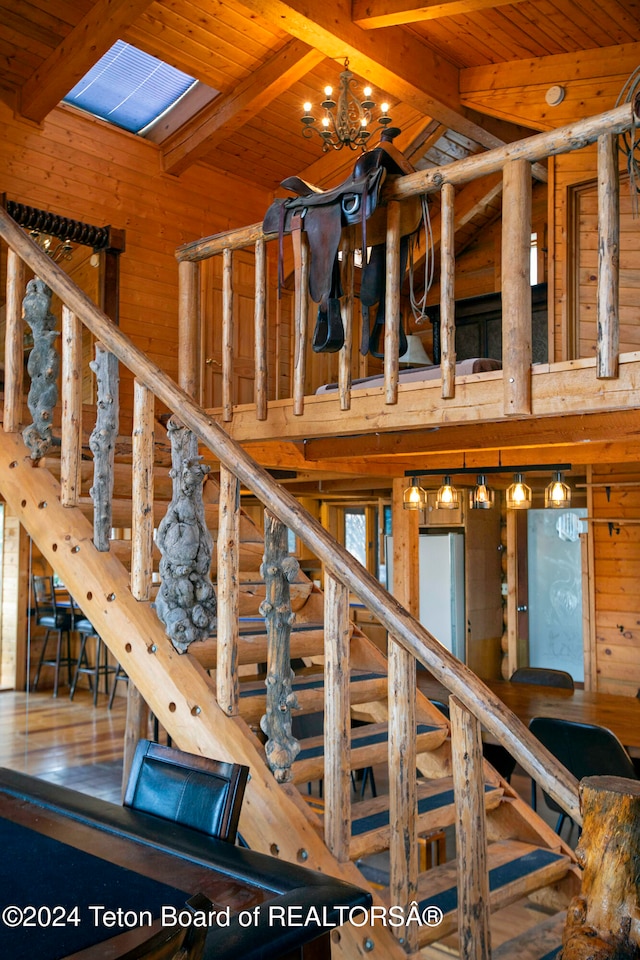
(393, 59)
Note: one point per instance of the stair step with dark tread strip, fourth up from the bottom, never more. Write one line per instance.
(368, 746)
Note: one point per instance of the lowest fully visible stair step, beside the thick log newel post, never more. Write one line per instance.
(515, 870)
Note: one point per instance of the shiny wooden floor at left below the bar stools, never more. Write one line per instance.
(64, 741)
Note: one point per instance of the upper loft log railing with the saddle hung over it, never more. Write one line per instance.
(514, 162)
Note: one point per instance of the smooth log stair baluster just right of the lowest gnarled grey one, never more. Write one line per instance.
(337, 721)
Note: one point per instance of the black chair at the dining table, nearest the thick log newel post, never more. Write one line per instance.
(584, 749)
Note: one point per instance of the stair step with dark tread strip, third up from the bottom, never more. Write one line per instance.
(370, 831)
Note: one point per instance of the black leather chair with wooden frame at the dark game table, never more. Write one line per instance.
(197, 792)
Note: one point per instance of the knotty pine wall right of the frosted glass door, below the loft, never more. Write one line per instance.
(617, 577)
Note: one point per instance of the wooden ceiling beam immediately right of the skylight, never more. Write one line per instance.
(225, 115)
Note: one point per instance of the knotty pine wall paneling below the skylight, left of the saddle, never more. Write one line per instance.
(83, 168)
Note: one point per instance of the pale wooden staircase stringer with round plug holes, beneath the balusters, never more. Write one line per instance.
(275, 818)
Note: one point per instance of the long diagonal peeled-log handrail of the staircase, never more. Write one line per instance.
(457, 677)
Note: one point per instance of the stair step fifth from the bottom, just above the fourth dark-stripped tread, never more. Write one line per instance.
(309, 689)
